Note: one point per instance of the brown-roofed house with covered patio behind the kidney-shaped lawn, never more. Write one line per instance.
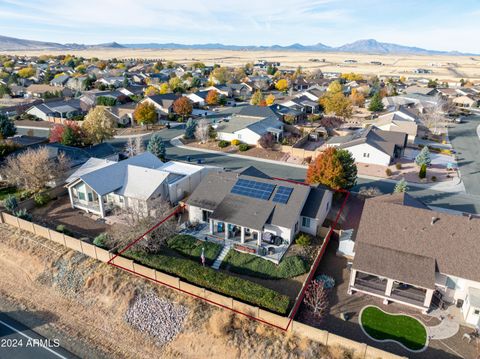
(408, 254)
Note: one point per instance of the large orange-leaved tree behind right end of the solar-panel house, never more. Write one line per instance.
(334, 168)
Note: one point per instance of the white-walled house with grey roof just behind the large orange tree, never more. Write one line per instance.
(372, 145)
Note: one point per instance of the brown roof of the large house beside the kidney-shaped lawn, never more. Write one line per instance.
(393, 223)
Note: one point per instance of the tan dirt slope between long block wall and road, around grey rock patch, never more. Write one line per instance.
(82, 302)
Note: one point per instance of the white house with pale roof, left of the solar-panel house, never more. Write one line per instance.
(100, 185)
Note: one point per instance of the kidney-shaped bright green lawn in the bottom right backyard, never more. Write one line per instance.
(401, 328)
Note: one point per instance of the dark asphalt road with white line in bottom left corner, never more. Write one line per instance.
(19, 342)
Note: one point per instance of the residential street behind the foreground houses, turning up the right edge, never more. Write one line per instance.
(469, 202)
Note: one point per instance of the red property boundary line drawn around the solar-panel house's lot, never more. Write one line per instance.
(299, 299)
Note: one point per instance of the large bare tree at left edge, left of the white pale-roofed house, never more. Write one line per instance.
(33, 169)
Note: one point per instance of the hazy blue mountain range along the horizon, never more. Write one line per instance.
(369, 46)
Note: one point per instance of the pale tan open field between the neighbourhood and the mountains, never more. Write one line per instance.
(443, 67)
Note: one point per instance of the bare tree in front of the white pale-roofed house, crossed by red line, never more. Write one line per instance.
(138, 218)
